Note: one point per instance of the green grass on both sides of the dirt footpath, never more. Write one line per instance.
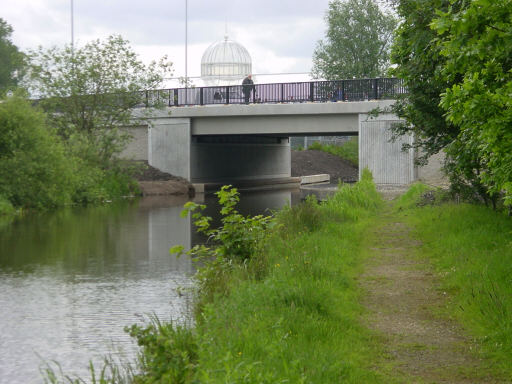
(292, 313)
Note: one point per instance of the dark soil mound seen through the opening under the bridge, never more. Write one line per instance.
(313, 162)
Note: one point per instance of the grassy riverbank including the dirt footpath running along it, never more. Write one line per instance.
(356, 291)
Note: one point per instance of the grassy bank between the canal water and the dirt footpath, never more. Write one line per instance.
(290, 313)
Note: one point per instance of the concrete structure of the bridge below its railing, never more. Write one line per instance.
(228, 143)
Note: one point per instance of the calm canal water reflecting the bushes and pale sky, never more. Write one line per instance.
(71, 280)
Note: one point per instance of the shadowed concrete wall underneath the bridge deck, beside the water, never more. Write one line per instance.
(237, 161)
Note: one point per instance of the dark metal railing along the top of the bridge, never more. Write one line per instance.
(312, 91)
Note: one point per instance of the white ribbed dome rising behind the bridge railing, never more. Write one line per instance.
(225, 61)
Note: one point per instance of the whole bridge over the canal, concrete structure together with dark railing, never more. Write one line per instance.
(206, 139)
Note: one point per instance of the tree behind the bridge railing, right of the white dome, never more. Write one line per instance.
(357, 42)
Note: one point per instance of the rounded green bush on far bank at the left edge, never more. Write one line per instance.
(34, 168)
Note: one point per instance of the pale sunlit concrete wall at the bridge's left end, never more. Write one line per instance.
(169, 146)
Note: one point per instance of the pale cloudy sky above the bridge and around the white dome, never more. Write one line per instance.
(280, 35)
